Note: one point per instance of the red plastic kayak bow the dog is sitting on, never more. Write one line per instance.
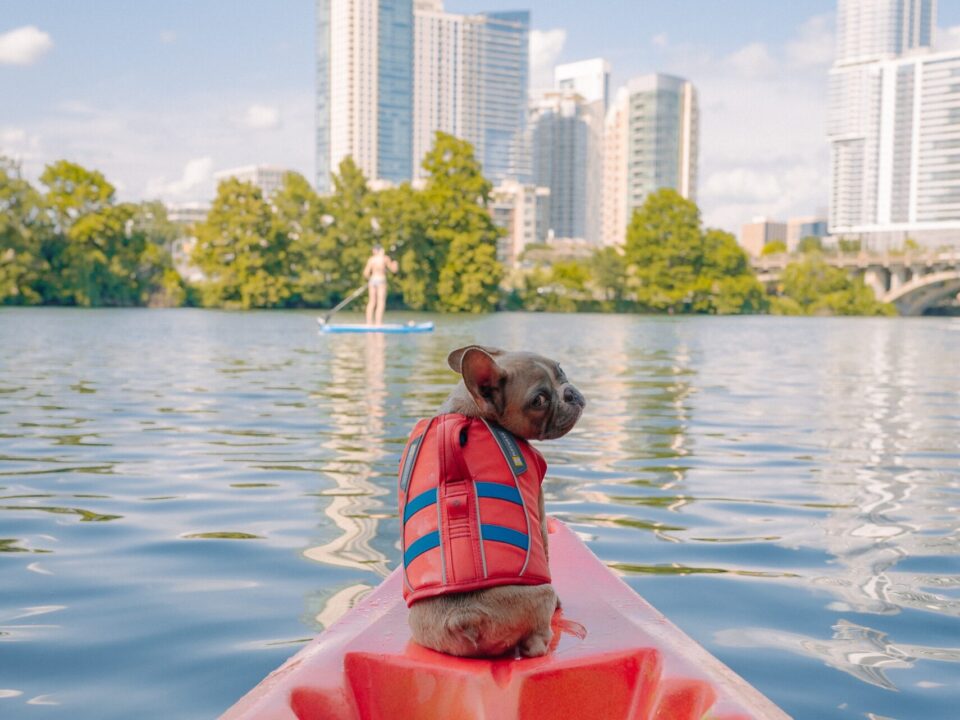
(613, 657)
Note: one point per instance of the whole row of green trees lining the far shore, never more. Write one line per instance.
(72, 243)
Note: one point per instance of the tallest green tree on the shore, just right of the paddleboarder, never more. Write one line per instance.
(459, 226)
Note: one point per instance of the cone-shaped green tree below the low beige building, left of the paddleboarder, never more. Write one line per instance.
(244, 260)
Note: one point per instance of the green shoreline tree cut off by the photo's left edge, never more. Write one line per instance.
(23, 232)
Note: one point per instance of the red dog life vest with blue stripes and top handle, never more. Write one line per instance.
(469, 508)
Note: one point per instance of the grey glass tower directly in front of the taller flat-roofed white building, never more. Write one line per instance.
(567, 136)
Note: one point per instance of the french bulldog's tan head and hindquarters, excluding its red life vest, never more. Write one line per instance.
(531, 397)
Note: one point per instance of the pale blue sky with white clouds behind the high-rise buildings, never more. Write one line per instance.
(159, 95)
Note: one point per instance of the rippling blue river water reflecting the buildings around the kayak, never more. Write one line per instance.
(187, 496)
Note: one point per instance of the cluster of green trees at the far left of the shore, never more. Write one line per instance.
(74, 245)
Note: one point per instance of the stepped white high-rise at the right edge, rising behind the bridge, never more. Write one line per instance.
(893, 124)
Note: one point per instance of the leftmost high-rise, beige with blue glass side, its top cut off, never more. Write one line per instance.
(364, 88)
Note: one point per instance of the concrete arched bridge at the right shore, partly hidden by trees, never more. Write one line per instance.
(913, 281)
